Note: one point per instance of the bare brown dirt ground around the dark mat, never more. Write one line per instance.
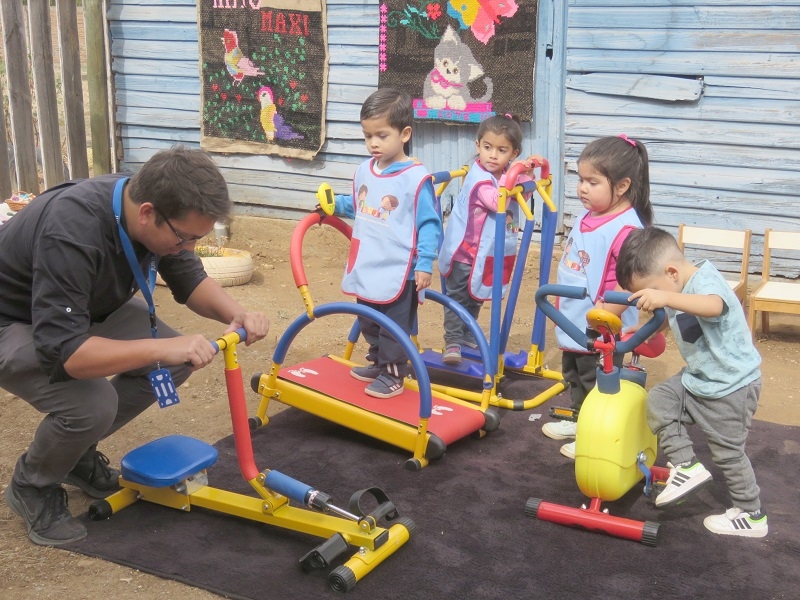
(28, 571)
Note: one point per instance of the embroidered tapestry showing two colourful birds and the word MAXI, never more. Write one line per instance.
(264, 76)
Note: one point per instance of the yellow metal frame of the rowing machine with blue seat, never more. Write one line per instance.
(374, 543)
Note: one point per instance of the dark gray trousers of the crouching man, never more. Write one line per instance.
(78, 412)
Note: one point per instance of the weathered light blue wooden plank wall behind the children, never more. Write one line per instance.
(710, 87)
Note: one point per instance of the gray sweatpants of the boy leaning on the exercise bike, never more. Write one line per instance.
(725, 421)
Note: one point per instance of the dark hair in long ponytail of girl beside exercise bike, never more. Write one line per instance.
(617, 158)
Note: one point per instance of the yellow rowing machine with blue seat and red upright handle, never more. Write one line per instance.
(172, 472)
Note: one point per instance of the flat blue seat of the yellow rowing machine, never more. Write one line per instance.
(167, 461)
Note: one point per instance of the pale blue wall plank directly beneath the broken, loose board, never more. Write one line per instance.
(707, 110)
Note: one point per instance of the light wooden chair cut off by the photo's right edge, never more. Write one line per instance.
(774, 296)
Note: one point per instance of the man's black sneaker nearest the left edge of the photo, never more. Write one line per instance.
(45, 513)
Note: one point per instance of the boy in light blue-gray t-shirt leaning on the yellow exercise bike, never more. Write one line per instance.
(719, 388)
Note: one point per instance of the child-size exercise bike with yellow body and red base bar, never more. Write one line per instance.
(614, 447)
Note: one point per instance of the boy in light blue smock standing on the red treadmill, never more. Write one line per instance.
(395, 236)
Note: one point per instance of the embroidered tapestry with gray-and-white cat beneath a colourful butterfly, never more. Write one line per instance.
(462, 60)
